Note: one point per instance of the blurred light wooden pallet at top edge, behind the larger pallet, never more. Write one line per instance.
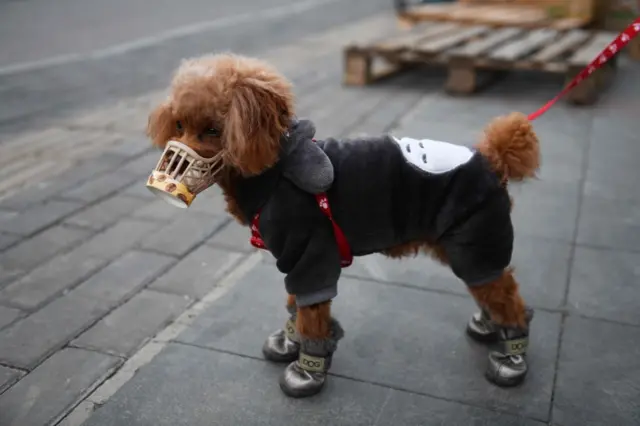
(525, 16)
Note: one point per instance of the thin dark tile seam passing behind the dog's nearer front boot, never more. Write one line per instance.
(355, 379)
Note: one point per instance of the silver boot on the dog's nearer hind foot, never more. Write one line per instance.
(508, 366)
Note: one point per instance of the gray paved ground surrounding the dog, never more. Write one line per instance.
(117, 309)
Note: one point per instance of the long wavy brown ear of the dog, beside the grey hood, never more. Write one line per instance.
(258, 116)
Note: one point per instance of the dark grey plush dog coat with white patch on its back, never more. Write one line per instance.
(383, 192)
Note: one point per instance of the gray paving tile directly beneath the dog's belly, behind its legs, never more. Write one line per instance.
(405, 338)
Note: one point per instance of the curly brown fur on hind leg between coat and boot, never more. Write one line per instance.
(503, 301)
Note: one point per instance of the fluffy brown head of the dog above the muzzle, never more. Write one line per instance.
(225, 105)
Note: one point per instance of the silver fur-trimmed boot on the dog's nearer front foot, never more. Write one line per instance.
(306, 376)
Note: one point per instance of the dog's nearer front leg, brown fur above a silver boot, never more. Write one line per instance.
(318, 335)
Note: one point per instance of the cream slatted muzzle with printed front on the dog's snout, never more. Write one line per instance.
(181, 174)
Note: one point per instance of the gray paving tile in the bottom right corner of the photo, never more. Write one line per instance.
(598, 375)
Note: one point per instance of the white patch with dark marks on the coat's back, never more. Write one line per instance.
(433, 156)
